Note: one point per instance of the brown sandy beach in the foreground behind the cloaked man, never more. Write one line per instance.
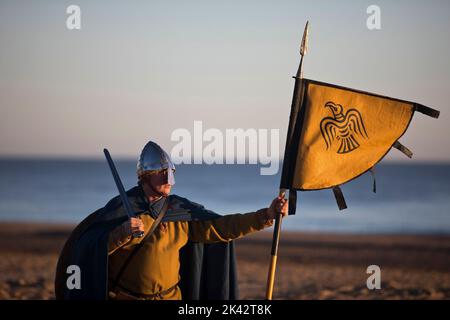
(310, 265)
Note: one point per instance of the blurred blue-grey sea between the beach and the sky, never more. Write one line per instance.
(410, 198)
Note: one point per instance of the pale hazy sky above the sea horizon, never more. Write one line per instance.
(138, 70)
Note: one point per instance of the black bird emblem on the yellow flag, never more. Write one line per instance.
(346, 128)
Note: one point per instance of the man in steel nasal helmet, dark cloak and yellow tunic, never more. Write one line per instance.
(186, 252)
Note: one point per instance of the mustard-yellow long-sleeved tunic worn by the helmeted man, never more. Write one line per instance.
(155, 267)
